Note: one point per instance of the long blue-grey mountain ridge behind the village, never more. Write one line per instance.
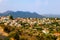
(21, 14)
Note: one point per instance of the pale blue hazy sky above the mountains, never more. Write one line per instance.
(39, 6)
